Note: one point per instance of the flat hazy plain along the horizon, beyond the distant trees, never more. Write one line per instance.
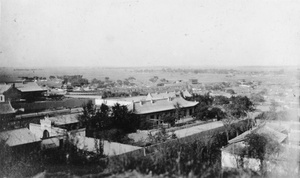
(122, 73)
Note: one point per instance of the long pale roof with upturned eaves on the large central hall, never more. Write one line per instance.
(157, 105)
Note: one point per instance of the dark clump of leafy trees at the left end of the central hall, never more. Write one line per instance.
(110, 124)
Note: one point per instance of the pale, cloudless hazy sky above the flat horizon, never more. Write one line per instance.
(149, 32)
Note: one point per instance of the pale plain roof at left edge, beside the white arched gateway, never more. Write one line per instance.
(18, 137)
